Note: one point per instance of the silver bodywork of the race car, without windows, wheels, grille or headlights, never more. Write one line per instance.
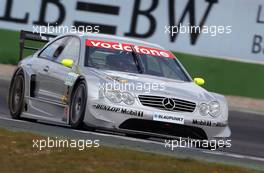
(53, 90)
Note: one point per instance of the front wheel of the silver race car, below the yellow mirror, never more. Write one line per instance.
(78, 106)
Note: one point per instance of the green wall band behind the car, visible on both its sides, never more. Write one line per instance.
(222, 76)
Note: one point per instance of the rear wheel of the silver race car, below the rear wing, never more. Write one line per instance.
(16, 95)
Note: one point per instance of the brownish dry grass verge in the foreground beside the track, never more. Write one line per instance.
(18, 155)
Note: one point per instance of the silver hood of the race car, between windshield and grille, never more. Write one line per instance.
(147, 85)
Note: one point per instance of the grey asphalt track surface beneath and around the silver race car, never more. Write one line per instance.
(247, 137)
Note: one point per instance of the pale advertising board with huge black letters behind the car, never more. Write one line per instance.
(240, 23)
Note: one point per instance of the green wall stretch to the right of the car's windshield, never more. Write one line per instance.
(226, 77)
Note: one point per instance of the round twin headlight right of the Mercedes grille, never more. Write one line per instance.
(213, 109)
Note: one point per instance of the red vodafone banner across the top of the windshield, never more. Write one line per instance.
(127, 47)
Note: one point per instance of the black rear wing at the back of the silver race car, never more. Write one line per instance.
(27, 35)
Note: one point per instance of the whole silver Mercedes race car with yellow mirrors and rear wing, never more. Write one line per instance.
(113, 83)
